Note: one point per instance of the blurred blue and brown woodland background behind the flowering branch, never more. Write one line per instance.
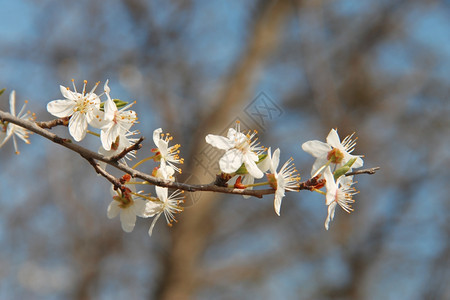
(377, 68)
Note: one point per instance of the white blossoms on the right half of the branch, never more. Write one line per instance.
(245, 160)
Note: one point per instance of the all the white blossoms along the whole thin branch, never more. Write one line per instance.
(244, 160)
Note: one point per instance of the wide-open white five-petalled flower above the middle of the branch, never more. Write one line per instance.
(240, 149)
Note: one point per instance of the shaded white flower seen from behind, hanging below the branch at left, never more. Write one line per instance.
(128, 206)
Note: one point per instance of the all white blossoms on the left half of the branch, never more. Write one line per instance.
(114, 120)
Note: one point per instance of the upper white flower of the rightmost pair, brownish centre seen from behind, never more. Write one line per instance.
(333, 151)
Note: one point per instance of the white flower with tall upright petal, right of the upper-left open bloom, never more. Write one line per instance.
(116, 122)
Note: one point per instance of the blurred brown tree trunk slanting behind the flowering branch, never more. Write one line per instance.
(190, 236)
